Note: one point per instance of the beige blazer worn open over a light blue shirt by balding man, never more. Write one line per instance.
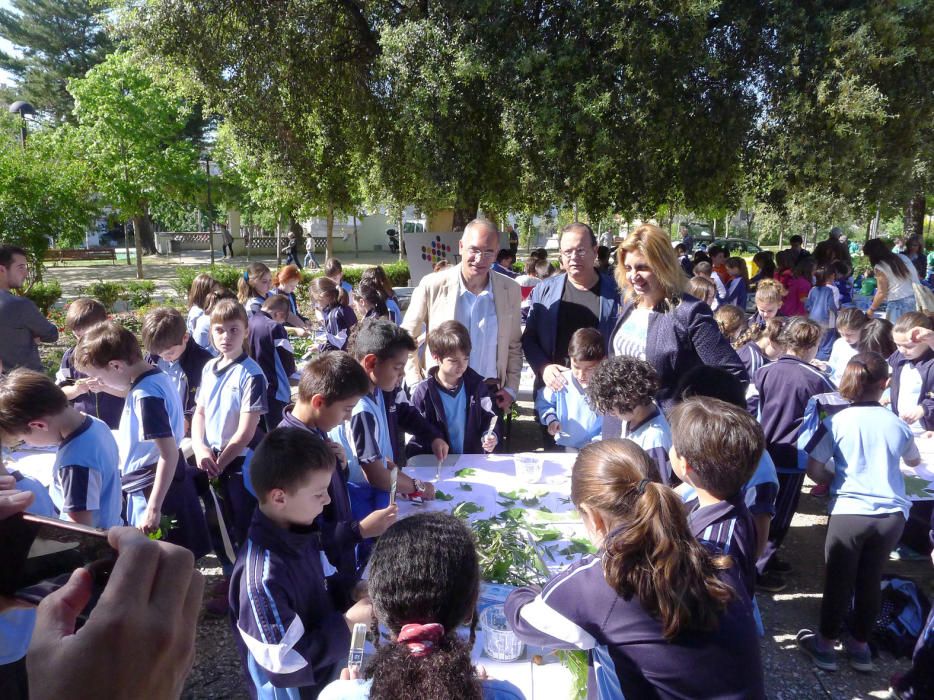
(434, 301)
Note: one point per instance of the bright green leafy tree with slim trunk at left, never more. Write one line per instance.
(131, 128)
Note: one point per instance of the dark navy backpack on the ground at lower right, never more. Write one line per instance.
(901, 618)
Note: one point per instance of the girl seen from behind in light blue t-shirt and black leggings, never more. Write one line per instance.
(868, 509)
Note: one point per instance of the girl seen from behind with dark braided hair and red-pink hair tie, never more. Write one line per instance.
(424, 583)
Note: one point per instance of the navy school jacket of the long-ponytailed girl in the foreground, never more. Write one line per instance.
(628, 654)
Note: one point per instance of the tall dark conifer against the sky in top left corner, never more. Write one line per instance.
(58, 40)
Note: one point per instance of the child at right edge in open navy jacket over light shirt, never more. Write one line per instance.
(912, 388)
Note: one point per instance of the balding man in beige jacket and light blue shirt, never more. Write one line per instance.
(486, 302)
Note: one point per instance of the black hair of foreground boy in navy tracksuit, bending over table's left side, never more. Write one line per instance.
(285, 458)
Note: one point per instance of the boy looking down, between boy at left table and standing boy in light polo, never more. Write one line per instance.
(171, 349)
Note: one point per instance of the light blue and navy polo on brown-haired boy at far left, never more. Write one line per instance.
(85, 476)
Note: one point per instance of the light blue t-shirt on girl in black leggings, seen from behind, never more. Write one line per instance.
(866, 442)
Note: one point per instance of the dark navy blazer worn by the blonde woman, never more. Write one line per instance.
(681, 339)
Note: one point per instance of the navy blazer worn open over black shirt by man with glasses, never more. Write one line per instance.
(541, 328)
